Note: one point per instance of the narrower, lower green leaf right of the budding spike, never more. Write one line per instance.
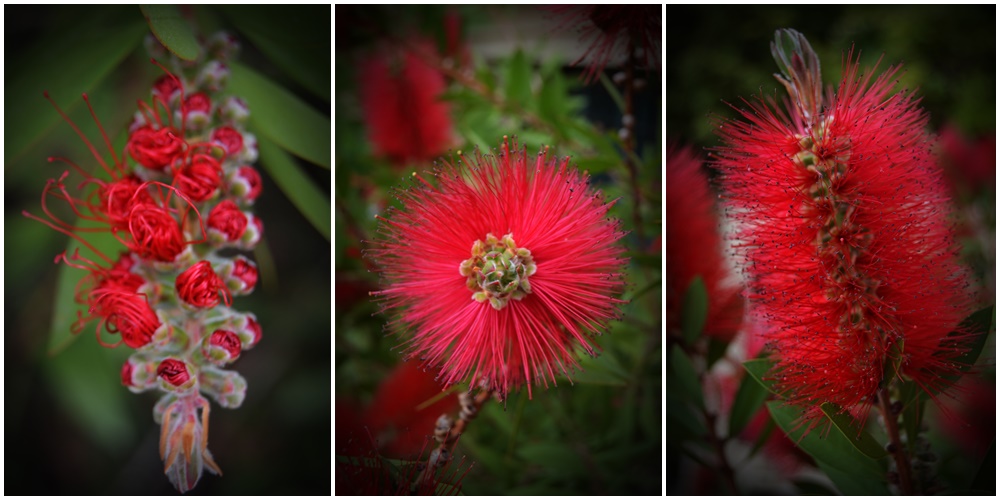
(311, 202)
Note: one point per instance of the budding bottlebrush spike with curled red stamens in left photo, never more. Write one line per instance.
(181, 211)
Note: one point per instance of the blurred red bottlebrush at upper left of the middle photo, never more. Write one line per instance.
(400, 93)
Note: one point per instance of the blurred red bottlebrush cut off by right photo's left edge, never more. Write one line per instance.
(693, 247)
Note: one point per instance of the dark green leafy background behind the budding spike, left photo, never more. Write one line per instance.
(70, 426)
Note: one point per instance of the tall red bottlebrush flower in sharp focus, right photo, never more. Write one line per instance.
(844, 232)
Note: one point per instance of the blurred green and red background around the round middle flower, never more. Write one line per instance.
(464, 77)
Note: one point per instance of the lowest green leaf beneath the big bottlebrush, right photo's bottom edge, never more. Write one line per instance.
(853, 472)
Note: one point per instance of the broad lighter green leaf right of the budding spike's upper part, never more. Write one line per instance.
(277, 114)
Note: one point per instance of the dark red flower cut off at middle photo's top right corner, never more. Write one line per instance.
(614, 31)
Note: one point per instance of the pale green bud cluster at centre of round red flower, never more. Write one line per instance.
(498, 270)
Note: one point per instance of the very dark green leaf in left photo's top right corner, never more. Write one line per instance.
(297, 40)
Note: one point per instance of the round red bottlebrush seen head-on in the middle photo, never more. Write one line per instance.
(502, 269)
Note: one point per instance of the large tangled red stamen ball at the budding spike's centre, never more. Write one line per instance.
(155, 233)
